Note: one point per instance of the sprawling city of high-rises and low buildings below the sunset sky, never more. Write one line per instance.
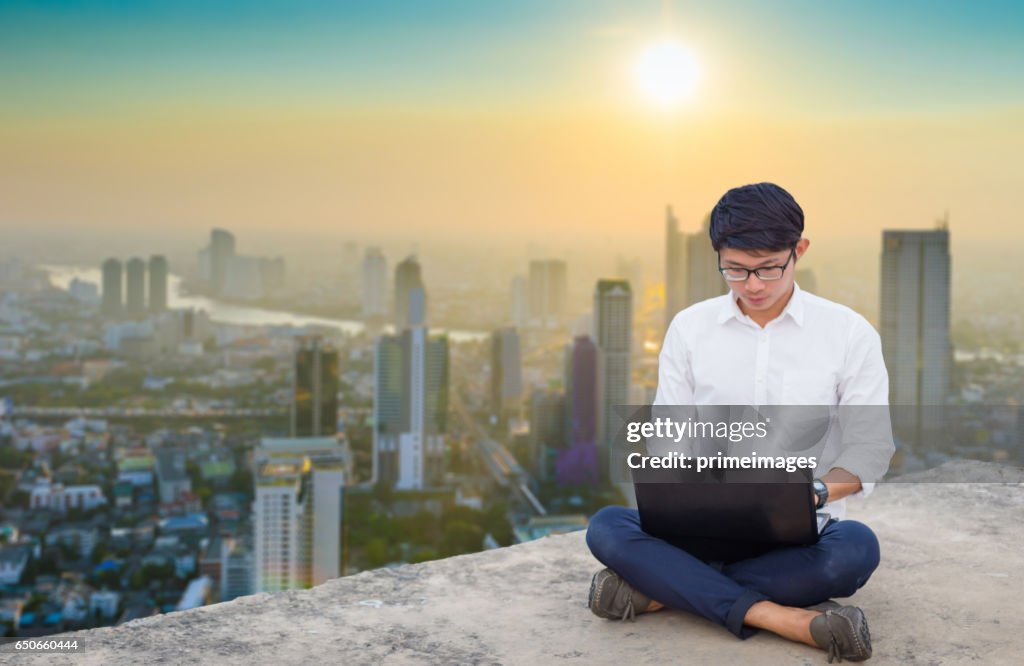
(156, 459)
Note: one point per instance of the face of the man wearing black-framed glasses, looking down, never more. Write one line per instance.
(758, 296)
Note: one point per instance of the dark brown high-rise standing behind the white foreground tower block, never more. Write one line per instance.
(315, 407)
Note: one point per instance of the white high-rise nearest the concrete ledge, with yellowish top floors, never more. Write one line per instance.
(297, 513)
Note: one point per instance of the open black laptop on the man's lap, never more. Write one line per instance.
(731, 517)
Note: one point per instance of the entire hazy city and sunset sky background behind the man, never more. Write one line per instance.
(292, 294)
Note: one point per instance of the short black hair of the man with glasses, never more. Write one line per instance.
(761, 217)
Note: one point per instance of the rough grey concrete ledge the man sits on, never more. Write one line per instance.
(950, 591)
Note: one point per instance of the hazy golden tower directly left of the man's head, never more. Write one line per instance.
(692, 268)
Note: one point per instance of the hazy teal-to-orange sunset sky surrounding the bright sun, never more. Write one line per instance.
(515, 120)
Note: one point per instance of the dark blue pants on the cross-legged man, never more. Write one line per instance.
(838, 565)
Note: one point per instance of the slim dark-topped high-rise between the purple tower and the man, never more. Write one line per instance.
(614, 328)
